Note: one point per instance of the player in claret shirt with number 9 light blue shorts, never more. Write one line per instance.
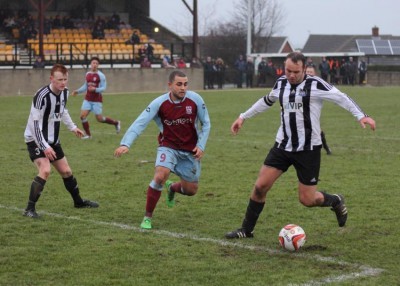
(182, 141)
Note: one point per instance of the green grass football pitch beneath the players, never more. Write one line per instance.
(105, 246)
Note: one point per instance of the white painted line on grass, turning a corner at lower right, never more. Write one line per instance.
(363, 270)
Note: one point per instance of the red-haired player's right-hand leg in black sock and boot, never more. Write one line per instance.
(70, 182)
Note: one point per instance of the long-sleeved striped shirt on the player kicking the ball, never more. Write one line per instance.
(301, 110)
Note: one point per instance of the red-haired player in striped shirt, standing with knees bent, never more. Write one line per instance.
(42, 131)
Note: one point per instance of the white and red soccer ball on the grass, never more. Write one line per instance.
(292, 237)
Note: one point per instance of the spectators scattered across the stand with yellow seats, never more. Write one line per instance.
(21, 26)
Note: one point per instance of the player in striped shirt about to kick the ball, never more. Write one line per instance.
(298, 140)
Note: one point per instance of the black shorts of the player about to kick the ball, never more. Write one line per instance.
(306, 163)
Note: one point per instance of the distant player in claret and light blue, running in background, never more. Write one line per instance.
(95, 84)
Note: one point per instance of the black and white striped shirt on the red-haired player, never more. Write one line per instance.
(47, 112)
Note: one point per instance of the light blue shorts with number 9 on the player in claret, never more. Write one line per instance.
(181, 163)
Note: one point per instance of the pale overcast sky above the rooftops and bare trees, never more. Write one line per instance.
(302, 17)
